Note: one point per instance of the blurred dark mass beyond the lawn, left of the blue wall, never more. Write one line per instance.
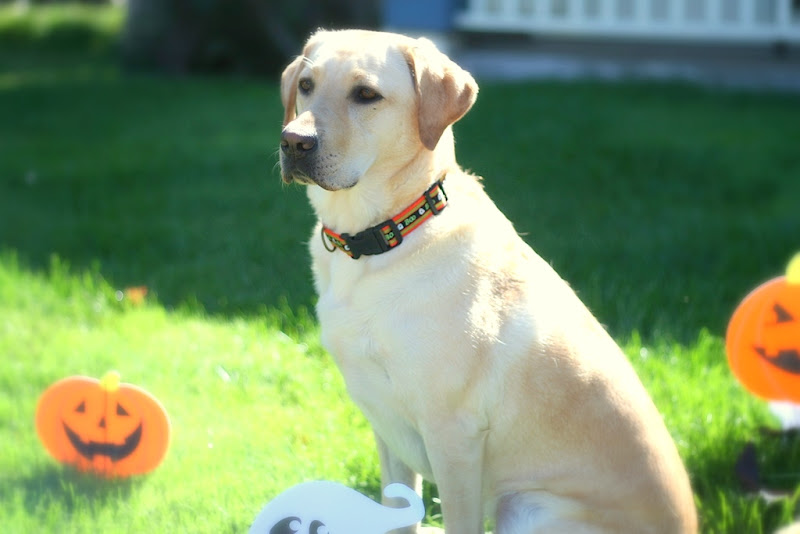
(238, 36)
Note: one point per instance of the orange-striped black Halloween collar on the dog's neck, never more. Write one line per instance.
(387, 235)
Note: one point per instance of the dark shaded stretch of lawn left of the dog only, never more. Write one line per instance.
(176, 190)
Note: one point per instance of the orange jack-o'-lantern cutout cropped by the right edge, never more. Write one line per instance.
(763, 338)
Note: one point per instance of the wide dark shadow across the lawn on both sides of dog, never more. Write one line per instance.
(641, 196)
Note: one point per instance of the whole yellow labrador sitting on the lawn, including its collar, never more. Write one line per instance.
(476, 364)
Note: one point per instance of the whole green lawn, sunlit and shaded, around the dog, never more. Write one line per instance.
(662, 205)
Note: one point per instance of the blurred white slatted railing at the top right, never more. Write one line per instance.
(756, 21)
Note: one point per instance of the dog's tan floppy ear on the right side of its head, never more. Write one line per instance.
(445, 91)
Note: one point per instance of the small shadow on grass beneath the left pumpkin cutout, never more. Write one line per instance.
(61, 487)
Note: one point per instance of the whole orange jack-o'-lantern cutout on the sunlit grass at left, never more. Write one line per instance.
(112, 429)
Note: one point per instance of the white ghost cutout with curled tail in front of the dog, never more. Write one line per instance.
(329, 508)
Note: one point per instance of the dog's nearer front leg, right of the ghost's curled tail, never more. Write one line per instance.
(455, 451)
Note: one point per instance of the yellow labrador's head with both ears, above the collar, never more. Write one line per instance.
(358, 102)
